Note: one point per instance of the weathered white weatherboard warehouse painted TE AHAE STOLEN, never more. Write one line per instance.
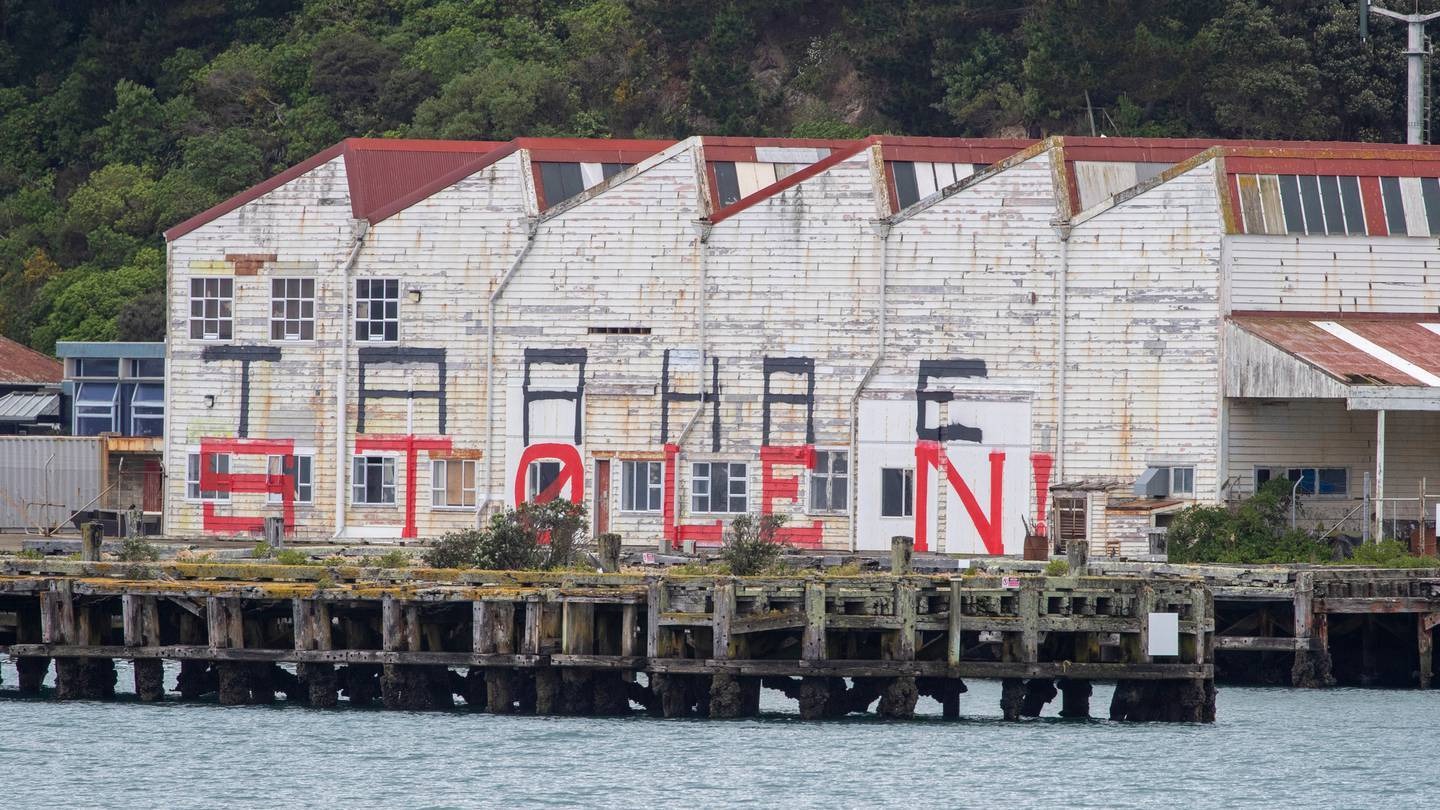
(392, 339)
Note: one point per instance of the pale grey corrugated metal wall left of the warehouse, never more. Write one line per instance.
(45, 479)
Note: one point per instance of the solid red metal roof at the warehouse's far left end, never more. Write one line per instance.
(378, 171)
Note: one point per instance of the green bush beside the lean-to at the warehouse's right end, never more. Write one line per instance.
(1256, 533)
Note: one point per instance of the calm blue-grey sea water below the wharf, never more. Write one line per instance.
(1271, 749)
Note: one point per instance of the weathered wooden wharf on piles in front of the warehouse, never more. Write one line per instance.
(575, 644)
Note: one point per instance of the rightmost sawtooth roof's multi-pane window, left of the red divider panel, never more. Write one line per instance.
(1301, 204)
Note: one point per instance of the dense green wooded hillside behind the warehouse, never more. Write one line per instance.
(119, 120)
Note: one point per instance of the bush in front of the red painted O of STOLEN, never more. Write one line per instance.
(531, 537)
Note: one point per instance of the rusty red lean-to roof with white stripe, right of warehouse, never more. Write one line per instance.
(1356, 350)
